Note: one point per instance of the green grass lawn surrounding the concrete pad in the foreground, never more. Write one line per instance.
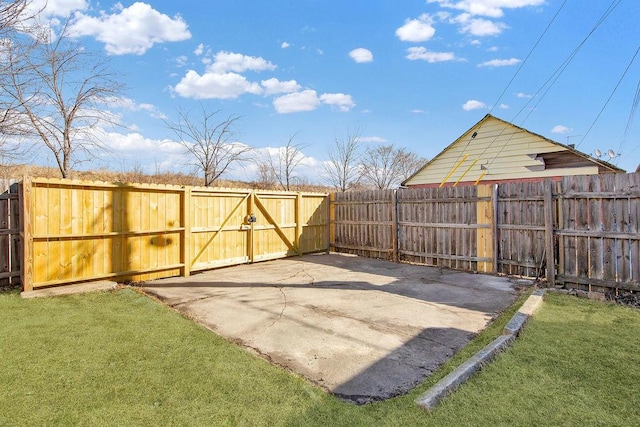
(120, 358)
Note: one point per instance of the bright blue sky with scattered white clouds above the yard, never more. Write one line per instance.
(413, 73)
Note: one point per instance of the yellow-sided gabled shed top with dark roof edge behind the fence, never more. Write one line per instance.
(494, 150)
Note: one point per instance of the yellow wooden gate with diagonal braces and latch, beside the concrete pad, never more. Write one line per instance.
(230, 227)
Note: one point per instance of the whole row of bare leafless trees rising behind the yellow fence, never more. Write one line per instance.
(55, 93)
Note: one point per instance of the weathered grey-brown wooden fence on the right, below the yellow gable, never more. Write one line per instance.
(578, 231)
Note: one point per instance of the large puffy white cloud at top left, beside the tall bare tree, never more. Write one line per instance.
(133, 30)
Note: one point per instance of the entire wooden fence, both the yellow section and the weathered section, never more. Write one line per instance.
(578, 231)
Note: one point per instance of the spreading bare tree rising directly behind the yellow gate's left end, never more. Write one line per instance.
(210, 142)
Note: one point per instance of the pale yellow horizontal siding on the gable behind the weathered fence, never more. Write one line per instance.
(504, 151)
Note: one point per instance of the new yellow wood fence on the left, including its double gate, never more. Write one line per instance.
(78, 231)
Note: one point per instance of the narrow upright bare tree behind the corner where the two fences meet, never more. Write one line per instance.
(342, 168)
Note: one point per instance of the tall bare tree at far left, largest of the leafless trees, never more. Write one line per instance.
(57, 91)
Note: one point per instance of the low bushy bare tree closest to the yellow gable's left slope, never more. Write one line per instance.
(386, 166)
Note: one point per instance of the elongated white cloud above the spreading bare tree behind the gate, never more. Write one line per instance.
(215, 86)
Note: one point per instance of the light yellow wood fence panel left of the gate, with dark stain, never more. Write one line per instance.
(85, 230)
